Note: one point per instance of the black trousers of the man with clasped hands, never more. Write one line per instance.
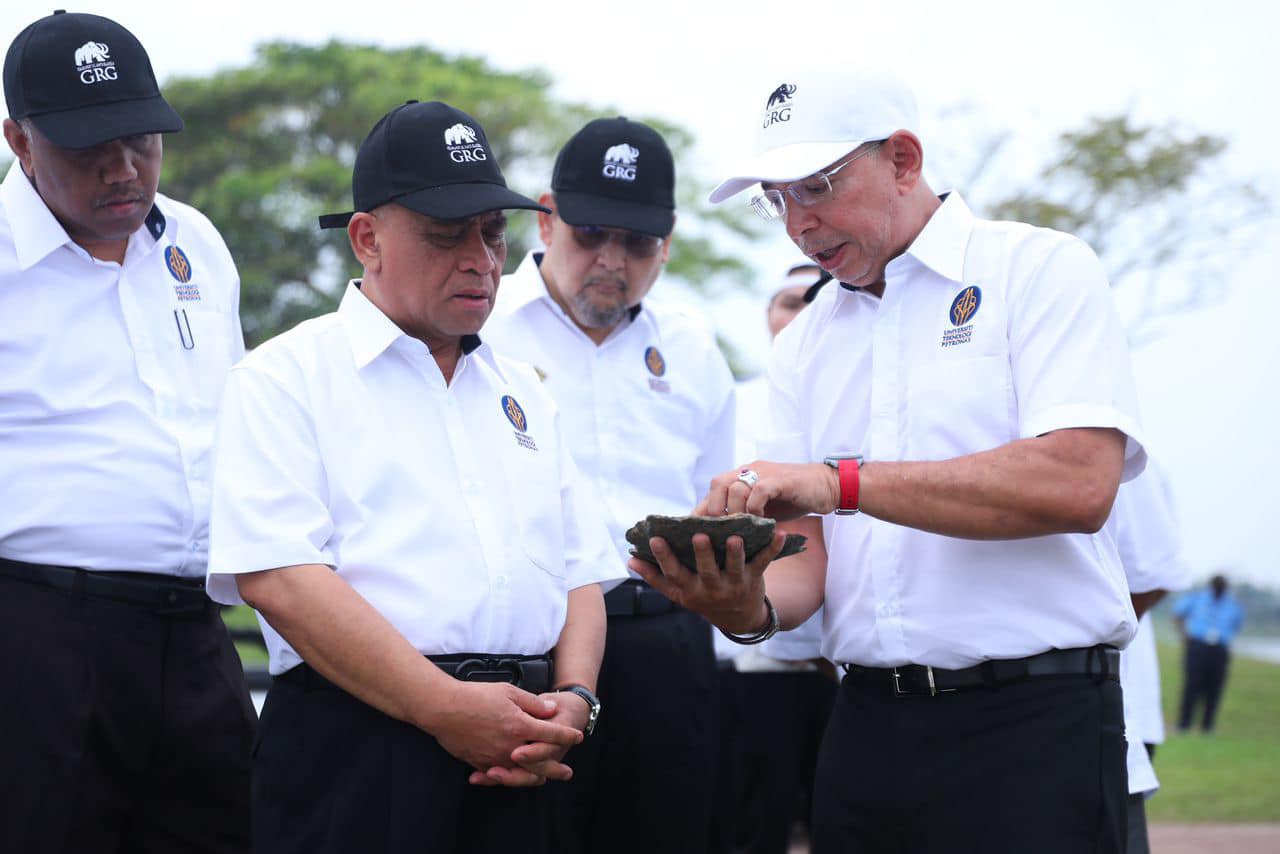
(333, 775)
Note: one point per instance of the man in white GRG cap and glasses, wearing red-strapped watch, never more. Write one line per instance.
(949, 427)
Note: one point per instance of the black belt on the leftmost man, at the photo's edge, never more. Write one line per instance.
(166, 595)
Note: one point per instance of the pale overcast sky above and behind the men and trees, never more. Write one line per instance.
(1209, 386)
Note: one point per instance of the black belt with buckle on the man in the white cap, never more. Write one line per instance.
(918, 681)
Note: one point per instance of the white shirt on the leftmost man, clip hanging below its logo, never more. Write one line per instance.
(111, 377)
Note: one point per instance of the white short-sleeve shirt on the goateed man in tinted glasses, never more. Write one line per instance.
(648, 414)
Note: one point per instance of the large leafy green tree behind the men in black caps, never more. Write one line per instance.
(271, 147)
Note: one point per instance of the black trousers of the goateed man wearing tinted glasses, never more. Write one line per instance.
(643, 782)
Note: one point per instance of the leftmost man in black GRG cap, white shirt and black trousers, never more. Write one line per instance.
(126, 723)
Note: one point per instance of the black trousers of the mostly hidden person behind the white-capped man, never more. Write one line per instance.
(771, 729)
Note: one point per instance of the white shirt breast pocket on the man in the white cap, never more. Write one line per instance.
(959, 407)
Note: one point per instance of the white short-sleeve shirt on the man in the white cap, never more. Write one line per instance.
(988, 334)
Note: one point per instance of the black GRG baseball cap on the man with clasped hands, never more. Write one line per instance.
(432, 159)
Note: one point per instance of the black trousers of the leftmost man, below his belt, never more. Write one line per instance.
(121, 729)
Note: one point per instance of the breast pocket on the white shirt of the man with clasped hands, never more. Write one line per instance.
(534, 485)
